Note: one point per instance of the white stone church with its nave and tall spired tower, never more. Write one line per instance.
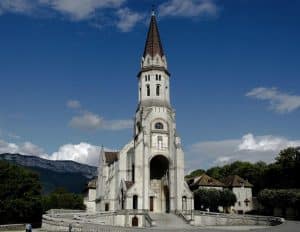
(148, 173)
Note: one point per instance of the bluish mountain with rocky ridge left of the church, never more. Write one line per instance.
(70, 175)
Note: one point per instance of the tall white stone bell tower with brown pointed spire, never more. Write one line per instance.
(159, 159)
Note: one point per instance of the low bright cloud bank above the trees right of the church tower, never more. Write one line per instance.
(248, 148)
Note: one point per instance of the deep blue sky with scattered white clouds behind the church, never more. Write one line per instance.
(68, 76)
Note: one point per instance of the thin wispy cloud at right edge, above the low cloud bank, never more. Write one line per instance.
(279, 102)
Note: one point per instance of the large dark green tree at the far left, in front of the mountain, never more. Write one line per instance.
(20, 195)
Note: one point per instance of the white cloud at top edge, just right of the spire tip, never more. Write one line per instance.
(188, 8)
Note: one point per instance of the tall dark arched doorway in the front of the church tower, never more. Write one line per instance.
(159, 183)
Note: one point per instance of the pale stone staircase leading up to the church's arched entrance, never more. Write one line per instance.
(168, 221)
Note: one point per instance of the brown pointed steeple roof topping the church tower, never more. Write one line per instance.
(153, 44)
